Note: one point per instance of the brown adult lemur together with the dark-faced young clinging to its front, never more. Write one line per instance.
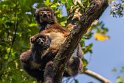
(45, 45)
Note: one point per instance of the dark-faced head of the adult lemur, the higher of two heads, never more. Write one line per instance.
(45, 15)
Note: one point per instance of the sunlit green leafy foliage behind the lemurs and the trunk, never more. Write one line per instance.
(17, 25)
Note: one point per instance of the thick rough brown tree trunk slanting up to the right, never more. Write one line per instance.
(94, 12)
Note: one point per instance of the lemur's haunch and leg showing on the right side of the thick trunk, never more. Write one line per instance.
(75, 64)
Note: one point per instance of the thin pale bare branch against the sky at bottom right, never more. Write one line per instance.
(96, 76)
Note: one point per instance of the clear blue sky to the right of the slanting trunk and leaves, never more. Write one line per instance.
(107, 54)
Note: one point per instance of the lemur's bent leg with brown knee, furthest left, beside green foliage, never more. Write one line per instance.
(26, 61)
